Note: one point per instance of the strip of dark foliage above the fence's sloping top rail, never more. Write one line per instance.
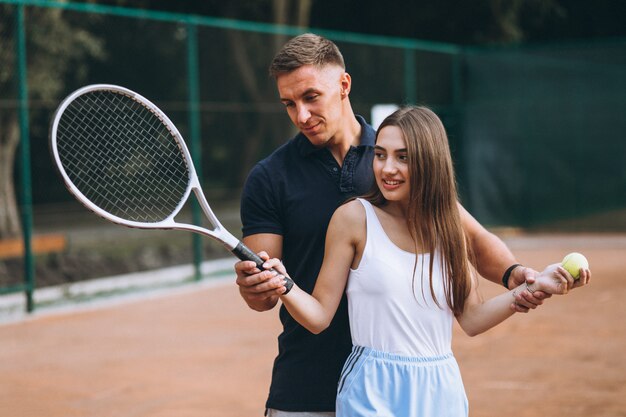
(462, 22)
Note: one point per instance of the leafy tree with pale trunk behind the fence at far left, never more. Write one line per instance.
(57, 48)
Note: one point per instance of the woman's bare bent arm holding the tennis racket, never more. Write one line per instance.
(346, 232)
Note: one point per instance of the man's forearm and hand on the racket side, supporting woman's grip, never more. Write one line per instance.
(260, 289)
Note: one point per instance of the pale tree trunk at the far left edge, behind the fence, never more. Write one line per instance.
(9, 139)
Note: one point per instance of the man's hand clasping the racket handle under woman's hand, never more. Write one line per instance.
(259, 289)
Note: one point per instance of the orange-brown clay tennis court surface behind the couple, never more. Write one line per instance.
(201, 352)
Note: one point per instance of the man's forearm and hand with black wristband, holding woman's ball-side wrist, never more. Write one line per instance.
(493, 258)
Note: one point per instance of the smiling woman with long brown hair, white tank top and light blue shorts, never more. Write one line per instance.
(401, 256)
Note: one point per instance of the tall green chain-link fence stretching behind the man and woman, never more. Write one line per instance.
(537, 132)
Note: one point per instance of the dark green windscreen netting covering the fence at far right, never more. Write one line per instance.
(543, 130)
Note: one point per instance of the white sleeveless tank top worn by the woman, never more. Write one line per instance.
(389, 310)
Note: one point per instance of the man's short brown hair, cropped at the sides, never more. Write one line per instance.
(305, 49)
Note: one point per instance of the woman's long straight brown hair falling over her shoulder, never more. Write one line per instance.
(433, 217)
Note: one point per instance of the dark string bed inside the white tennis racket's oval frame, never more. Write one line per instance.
(122, 156)
